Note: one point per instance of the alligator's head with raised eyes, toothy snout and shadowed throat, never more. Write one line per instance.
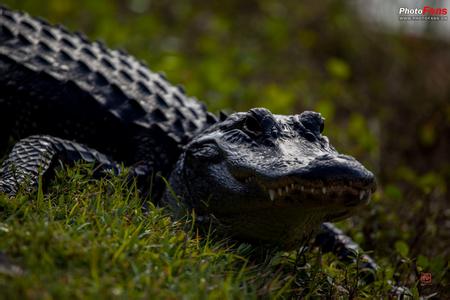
(269, 178)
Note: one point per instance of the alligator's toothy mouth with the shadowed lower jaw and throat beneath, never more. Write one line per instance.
(285, 210)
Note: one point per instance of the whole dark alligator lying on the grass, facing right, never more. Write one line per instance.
(261, 177)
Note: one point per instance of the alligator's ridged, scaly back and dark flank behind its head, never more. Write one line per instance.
(58, 83)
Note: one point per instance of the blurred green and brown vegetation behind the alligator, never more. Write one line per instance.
(385, 95)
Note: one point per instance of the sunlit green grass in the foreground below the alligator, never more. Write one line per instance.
(88, 238)
